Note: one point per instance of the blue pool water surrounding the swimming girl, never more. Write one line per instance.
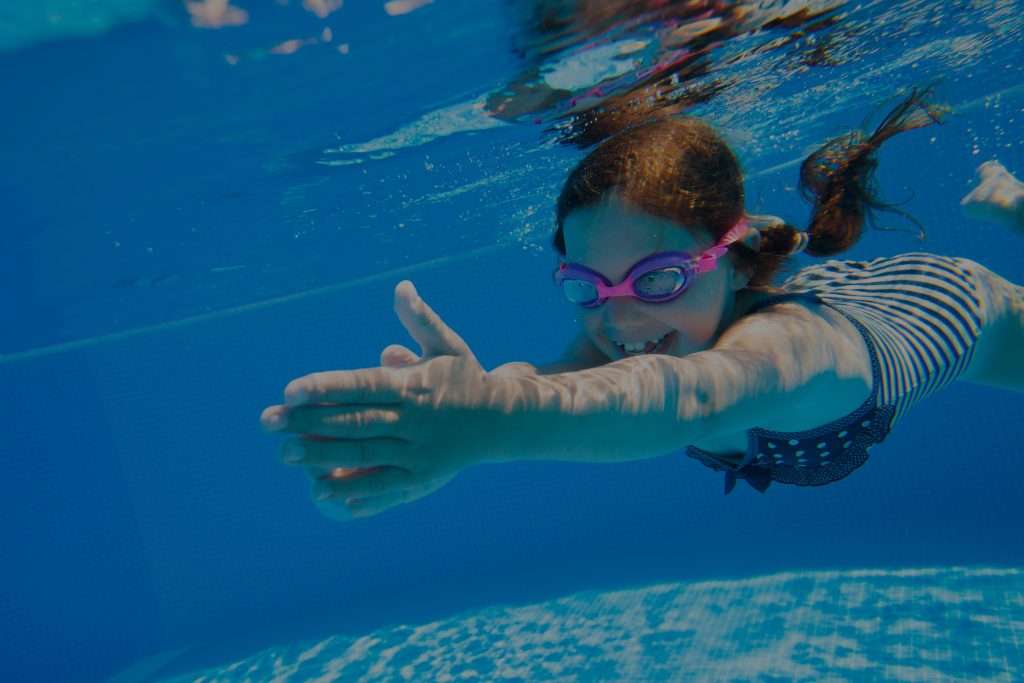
(202, 201)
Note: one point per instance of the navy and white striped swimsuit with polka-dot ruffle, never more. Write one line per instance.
(920, 316)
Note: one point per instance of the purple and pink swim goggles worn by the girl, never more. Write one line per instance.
(657, 279)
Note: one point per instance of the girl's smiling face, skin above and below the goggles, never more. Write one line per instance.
(610, 238)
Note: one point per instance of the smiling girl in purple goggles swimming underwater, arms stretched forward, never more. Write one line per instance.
(685, 340)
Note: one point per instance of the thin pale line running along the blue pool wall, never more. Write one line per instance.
(90, 343)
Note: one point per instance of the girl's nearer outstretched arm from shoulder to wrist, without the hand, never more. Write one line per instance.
(787, 369)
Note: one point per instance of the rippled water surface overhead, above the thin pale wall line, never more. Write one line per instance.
(240, 141)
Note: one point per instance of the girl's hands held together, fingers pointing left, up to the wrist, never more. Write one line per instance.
(377, 438)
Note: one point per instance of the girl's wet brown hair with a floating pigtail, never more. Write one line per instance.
(681, 169)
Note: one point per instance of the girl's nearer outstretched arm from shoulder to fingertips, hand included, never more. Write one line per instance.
(417, 425)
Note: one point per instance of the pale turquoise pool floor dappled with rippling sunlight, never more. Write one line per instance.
(932, 625)
